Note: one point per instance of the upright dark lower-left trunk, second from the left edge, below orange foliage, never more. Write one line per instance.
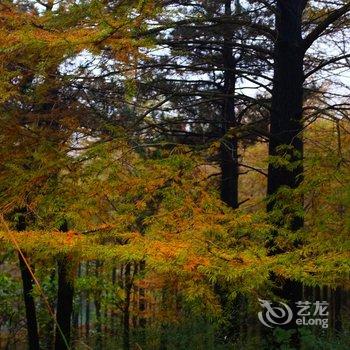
(64, 300)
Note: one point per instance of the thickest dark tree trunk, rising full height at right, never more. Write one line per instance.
(286, 127)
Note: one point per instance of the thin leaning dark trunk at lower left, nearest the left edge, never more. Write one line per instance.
(28, 283)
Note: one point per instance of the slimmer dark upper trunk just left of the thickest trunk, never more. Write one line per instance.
(229, 144)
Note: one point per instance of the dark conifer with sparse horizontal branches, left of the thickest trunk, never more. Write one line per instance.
(198, 73)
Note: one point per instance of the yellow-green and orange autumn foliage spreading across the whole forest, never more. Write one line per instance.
(148, 208)
